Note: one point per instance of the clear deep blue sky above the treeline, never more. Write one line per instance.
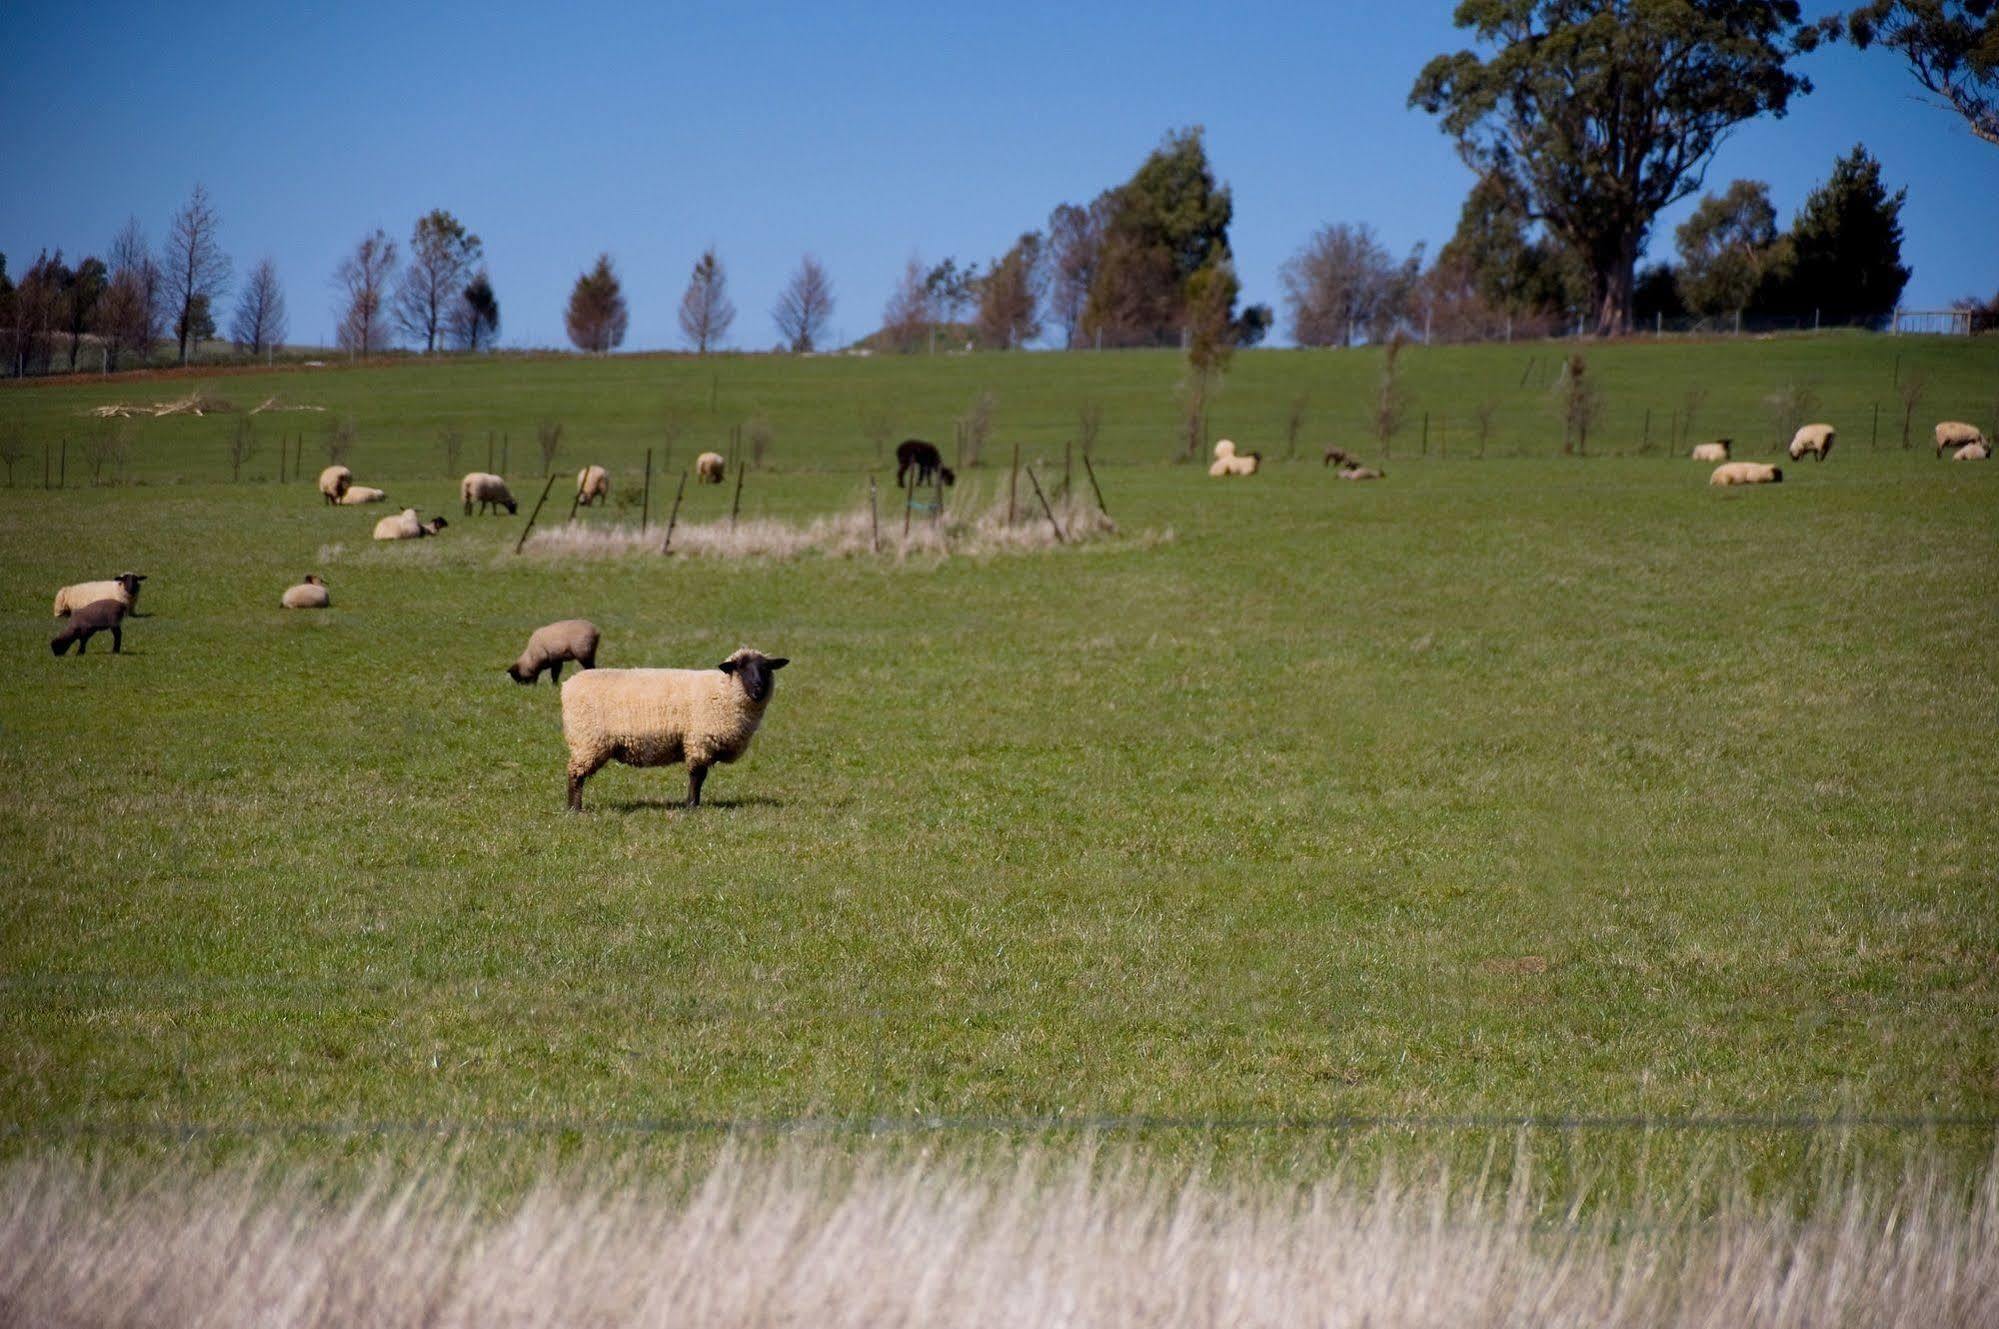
(859, 133)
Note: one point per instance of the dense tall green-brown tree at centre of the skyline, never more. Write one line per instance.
(1162, 227)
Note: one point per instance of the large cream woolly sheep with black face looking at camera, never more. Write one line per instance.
(665, 716)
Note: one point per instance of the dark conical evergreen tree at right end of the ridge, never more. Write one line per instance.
(1846, 247)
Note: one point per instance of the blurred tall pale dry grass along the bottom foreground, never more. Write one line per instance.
(785, 1240)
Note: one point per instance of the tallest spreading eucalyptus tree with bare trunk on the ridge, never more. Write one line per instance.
(1596, 115)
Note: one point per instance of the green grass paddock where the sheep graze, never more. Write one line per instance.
(1524, 784)
